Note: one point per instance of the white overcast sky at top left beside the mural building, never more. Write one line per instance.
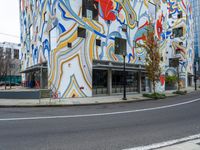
(9, 21)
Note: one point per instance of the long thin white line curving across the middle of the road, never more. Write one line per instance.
(100, 114)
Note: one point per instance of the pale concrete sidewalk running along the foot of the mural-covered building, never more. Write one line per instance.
(78, 101)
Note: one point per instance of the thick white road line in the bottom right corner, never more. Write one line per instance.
(167, 143)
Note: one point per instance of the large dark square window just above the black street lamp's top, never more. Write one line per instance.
(120, 46)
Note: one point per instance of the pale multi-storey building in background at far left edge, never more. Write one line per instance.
(14, 67)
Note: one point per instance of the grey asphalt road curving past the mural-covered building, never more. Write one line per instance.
(100, 127)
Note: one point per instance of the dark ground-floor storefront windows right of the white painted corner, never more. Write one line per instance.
(102, 79)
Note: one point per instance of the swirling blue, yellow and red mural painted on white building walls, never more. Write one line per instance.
(49, 26)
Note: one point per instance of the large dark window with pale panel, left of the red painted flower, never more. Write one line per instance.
(90, 9)
